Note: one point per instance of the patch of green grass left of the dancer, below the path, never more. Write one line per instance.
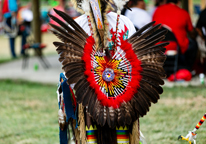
(28, 113)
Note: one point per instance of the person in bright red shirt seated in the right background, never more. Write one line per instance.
(177, 20)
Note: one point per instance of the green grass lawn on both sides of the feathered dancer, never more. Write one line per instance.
(29, 114)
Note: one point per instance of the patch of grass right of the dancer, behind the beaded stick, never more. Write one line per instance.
(177, 112)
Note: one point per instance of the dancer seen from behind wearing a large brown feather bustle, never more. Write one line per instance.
(116, 73)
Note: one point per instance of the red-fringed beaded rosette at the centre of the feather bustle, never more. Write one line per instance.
(115, 79)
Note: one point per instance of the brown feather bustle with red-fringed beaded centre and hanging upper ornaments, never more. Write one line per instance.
(116, 85)
